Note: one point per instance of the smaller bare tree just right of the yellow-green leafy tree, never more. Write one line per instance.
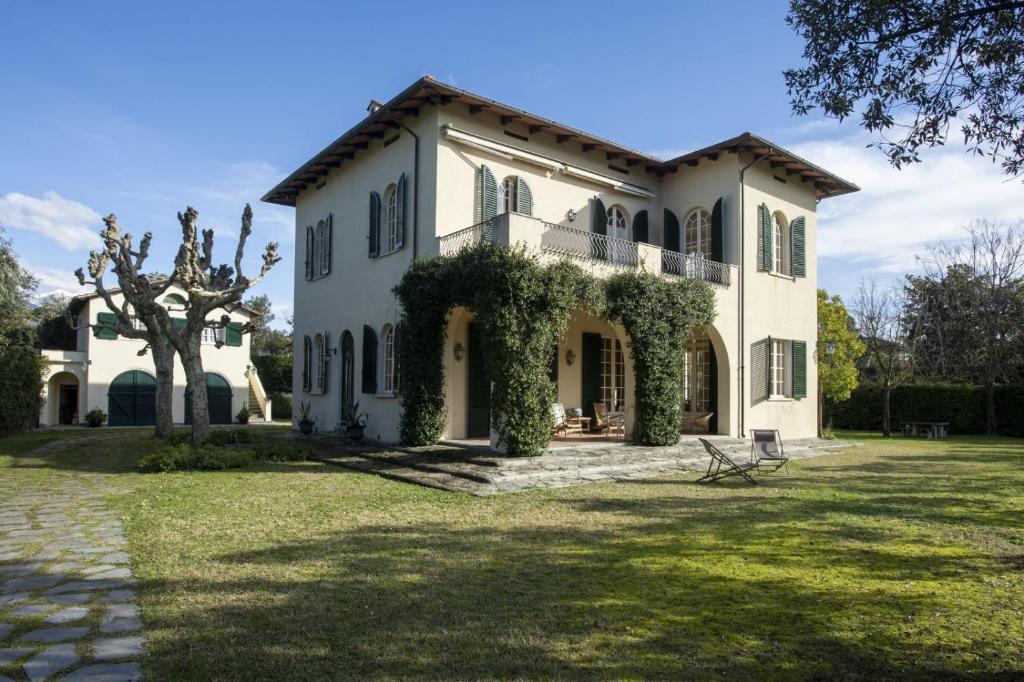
(889, 338)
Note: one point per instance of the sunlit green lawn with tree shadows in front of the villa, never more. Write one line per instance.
(892, 560)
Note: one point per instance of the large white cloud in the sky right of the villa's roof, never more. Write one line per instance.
(899, 212)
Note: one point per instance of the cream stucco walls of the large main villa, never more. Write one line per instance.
(359, 290)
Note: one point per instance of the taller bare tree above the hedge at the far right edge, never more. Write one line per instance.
(993, 257)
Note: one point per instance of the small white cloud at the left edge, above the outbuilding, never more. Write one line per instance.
(71, 225)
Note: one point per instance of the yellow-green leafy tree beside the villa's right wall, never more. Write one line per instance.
(839, 349)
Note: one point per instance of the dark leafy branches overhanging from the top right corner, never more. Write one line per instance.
(917, 67)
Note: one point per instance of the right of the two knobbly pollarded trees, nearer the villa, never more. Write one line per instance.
(209, 288)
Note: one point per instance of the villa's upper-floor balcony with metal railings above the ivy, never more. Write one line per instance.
(600, 253)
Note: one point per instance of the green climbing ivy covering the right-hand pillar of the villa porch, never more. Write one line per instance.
(659, 316)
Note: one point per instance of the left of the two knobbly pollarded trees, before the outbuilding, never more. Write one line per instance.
(140, 301)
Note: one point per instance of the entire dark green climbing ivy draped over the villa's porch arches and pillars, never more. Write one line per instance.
(523, 309)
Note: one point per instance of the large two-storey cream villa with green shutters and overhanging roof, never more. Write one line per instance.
(419, 176)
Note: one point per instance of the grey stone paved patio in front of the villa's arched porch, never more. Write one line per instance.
(482, 474)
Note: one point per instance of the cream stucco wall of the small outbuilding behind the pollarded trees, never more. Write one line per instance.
(99, 362)
